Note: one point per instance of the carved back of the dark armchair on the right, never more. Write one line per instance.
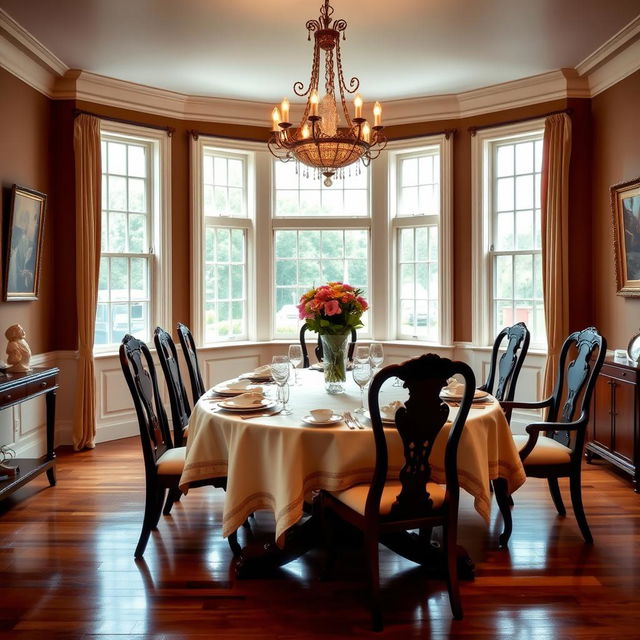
(575, 381)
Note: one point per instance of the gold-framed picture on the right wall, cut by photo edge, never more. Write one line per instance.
(625, 210)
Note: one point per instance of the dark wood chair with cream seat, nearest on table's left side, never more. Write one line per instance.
(163, 462)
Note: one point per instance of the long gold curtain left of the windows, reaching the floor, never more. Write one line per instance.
(86, 143)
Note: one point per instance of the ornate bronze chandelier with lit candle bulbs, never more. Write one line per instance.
(328, 138)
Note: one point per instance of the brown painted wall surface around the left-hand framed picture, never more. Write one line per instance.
(25, 148)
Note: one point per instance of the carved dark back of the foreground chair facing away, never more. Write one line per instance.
(419, 422)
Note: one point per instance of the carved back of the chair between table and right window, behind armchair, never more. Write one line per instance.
(504, 373)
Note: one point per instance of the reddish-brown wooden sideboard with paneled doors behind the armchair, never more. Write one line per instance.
(614, 429)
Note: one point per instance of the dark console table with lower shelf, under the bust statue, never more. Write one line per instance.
(20, 387)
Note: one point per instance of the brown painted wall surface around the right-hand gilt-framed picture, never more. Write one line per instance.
(616, 158)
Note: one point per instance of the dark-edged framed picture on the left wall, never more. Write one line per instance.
(24, 238)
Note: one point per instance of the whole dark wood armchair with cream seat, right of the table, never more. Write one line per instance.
(554, 448)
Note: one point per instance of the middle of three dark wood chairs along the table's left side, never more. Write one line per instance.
(180, 409)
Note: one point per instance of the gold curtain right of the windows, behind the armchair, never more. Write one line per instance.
(555, 230)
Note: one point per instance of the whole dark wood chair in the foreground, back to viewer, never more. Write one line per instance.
(411, 501)
